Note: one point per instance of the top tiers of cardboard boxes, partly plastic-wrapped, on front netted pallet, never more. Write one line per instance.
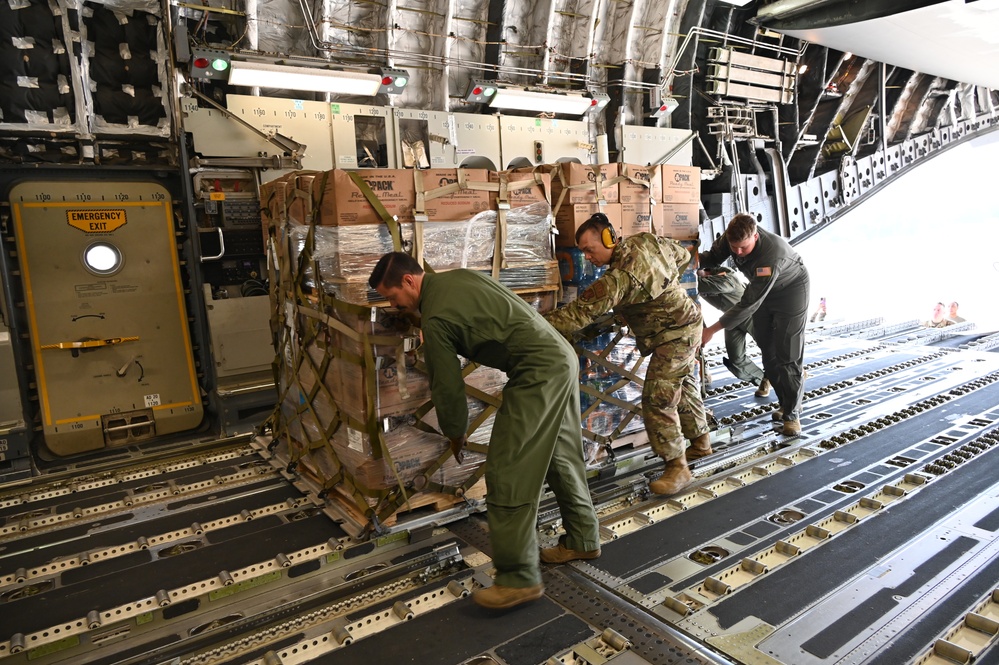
(450, 217)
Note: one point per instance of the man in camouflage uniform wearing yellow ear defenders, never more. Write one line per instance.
(642, 285)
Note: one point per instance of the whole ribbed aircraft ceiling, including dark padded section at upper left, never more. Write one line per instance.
(798, 108)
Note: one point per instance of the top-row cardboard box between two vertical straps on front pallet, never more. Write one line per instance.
(460, 205)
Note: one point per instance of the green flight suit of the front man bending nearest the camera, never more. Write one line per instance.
(536, 435)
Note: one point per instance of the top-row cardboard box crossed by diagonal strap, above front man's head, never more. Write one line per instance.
(341, 203)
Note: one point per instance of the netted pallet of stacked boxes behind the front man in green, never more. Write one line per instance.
(354, 414)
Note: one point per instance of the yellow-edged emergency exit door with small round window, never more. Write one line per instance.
(106, 313)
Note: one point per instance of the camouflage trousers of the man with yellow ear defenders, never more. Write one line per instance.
(671, 400)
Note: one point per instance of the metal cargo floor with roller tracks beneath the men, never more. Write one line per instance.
(867, 539)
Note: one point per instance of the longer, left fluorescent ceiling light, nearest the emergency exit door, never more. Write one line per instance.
(266, 75)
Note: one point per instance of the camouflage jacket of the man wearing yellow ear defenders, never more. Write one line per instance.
(642, 285)
